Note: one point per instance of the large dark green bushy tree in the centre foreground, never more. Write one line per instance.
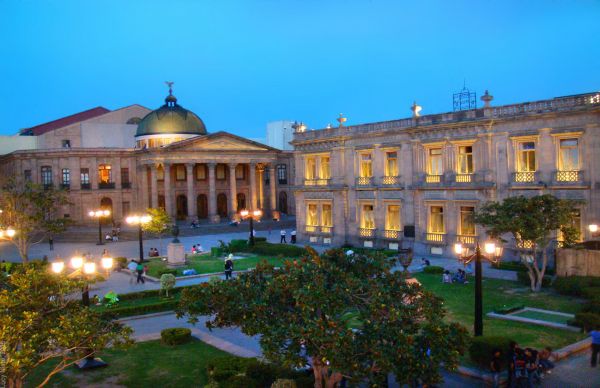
(347, 316)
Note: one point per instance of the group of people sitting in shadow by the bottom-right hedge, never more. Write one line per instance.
(525, 366)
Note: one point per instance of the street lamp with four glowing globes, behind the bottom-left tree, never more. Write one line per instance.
(84, 269)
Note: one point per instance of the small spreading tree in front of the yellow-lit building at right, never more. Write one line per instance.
(532, 222)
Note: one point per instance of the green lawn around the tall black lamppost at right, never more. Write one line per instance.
(459, 301)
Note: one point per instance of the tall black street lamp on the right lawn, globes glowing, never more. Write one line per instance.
(491, 253)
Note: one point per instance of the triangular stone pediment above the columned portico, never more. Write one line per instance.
(220, 141)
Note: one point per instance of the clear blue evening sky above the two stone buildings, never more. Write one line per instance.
(240, 64)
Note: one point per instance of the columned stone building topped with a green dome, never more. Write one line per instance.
(132, 158)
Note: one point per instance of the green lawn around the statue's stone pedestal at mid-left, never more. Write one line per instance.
(210, 264)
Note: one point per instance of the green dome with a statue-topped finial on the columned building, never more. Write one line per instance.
(171, 119)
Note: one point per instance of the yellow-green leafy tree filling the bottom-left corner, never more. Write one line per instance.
(38, 324)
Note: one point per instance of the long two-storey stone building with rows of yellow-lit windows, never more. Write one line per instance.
(417, 181)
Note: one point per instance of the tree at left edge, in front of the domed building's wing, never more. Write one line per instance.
(33, 212)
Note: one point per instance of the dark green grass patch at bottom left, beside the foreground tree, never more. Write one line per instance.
(145, 364)
